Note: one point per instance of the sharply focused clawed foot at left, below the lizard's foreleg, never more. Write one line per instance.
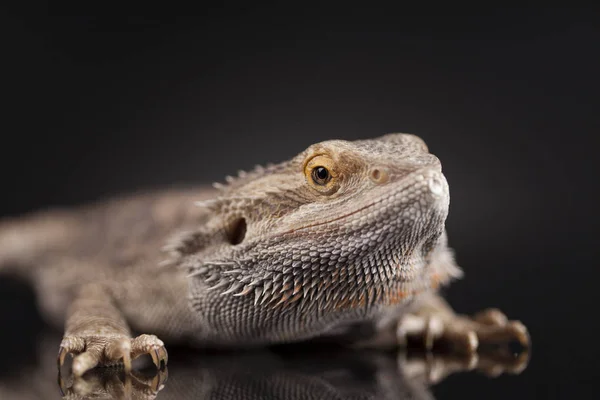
(93, 350)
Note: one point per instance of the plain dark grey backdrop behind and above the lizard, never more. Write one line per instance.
(508, 99)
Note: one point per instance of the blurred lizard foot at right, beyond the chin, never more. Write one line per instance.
(460, 333)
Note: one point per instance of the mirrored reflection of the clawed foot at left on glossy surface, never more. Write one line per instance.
(112, 383)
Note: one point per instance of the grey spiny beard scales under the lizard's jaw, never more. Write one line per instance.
(338, 271)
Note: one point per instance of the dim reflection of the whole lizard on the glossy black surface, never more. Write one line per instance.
(291, 373)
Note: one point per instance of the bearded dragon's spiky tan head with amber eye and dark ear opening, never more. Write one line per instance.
(341, 226)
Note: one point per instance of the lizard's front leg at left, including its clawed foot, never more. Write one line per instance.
(98, 335)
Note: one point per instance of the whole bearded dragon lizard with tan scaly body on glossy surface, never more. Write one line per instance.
(345, 233)
